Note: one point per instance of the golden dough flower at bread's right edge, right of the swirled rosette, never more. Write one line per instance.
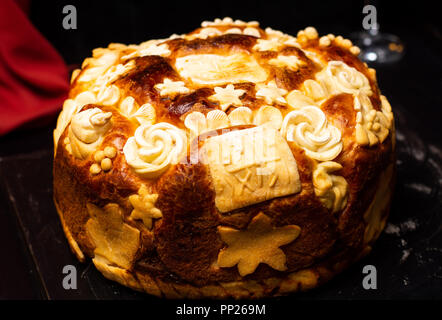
(372, 126)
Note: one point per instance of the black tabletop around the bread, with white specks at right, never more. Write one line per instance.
(408, 255)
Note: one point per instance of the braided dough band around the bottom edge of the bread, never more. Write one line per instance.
(301, 280)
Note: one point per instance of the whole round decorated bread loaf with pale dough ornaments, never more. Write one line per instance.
(231, 161)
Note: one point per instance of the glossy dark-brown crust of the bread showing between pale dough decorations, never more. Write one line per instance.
(177, 257)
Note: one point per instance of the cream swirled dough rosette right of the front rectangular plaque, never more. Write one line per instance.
(309, 129)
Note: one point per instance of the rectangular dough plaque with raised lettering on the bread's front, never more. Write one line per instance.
(250, 166)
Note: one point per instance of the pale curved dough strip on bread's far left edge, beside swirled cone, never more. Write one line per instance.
(70, 108)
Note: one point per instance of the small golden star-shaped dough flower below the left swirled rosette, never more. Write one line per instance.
(144, 208)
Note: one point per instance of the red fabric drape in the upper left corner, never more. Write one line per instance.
(33, 76)
